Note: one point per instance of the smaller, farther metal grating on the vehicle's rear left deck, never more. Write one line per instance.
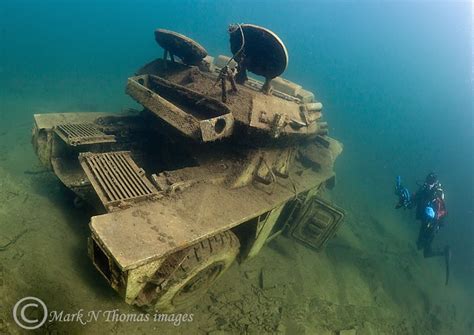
(82, 133)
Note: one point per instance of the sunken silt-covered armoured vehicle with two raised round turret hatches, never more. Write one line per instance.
(214, 166)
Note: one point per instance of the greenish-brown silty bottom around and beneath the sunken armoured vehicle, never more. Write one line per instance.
(369, 280)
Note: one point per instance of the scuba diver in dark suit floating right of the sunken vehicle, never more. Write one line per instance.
(431, 211)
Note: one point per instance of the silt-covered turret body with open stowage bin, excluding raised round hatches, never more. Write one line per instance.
(186, 99)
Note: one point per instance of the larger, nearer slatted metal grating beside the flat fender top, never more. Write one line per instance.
(116, 178)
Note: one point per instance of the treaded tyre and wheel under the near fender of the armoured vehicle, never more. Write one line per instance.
(184, 278)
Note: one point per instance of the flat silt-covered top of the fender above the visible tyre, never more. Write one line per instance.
(149, 231)
